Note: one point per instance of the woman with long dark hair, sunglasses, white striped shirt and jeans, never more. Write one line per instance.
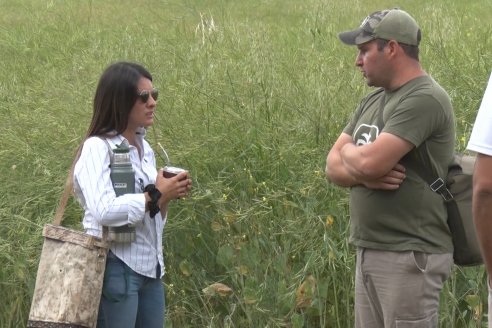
(124, 106)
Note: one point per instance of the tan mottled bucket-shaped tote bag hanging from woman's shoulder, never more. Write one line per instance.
(70, 275)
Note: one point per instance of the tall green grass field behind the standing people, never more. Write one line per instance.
(253, 94)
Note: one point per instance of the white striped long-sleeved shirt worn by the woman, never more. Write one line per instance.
(94, 190)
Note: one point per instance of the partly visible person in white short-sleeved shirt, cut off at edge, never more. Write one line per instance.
(481, 142)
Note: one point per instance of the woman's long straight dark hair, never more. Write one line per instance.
(116, 94)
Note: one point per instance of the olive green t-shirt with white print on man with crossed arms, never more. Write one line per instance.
(412, 217)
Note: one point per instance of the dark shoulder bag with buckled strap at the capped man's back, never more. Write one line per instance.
(456, 191)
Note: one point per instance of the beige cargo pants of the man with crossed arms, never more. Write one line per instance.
(399, 289)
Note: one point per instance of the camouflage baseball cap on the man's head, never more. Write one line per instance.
(388, 24)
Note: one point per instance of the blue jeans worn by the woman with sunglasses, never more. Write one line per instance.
(130, 300)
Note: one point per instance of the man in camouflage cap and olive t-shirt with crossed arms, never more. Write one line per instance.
(404, 246)
